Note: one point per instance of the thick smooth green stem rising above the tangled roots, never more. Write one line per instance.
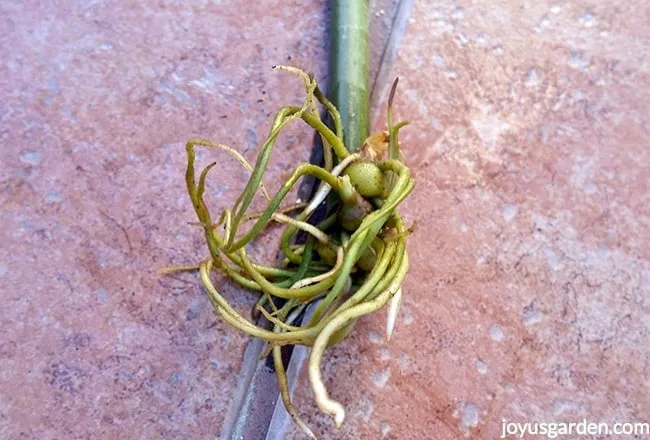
(349, 69)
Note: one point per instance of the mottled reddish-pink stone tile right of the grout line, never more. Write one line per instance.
(528, 294)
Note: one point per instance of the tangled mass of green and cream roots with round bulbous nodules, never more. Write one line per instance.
(352, 263)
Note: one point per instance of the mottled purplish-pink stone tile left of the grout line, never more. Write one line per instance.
(98, 99)
